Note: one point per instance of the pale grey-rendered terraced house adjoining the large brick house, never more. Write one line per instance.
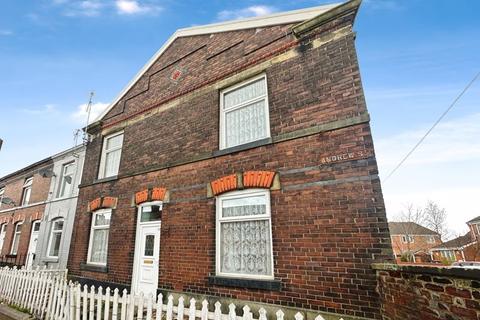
(57, 222)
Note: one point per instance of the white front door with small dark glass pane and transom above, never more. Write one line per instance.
(147, 249)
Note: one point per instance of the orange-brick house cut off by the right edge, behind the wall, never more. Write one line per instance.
(463, 248)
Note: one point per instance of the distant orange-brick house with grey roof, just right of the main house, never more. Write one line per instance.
(412, 242)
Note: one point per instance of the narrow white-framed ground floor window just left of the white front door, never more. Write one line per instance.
(98, 245)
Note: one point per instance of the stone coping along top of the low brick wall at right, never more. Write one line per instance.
(445, 271)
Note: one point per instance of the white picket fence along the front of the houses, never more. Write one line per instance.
(47, 294)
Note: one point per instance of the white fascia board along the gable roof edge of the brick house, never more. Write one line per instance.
(257, 22)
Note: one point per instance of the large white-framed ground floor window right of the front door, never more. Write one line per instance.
(244, 234)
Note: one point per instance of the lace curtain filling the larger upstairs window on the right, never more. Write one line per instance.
(247, 123)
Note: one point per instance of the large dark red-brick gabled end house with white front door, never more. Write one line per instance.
(239, 164)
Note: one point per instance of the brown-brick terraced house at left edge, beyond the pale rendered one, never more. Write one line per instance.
(23, 194)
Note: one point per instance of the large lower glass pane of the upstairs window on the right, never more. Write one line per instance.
(246, 124)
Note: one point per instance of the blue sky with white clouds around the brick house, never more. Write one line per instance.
(415, 58)
